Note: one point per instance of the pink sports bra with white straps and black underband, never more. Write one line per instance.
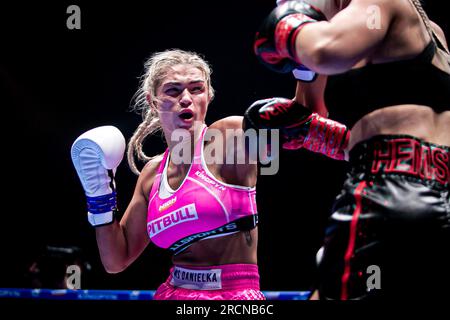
(202, 207)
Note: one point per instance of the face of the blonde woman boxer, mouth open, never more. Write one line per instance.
(182, 98)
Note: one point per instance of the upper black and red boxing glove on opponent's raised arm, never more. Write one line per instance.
(275, 41)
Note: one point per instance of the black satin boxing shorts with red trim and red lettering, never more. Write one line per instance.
(389, 235)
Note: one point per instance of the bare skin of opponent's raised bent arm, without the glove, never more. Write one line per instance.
(335, 46)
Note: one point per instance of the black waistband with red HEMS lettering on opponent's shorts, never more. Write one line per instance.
(402, 155)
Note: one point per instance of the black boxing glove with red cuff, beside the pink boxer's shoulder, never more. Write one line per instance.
(299, 127)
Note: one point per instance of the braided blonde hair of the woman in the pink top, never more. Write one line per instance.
(156, 69)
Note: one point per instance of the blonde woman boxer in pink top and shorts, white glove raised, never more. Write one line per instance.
(203, 211)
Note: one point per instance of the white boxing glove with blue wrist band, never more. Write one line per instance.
(95, 155)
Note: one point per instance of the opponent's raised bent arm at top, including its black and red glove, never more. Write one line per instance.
(295, 31)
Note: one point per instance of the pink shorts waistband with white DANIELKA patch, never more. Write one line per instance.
(223, 277)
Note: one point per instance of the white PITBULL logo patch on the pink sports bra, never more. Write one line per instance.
(183, 214)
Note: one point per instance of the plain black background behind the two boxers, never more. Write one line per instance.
(57, 83)
